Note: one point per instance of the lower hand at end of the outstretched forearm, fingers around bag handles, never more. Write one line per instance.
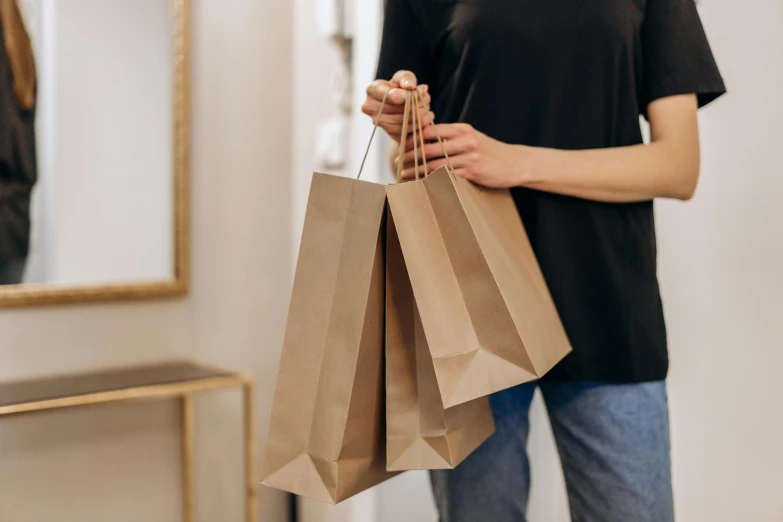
(474, 156)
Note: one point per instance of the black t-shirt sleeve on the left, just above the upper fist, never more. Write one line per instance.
(404, 44)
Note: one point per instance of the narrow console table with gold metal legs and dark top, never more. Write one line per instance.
(170, 380)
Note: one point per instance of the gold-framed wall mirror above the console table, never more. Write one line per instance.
(93, 193)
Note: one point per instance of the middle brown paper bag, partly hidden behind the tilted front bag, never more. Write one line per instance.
(420, 433)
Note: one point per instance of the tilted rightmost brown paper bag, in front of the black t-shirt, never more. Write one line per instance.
(488, 317)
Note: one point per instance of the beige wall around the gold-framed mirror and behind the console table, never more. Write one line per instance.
(120, 463)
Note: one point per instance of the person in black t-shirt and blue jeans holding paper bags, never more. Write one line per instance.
(544, 98)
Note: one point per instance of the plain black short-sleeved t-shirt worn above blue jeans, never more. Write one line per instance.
(567, 74)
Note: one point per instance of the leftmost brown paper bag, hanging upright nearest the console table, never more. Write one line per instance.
(326, 436)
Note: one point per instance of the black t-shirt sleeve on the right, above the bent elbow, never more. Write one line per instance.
(676, 55)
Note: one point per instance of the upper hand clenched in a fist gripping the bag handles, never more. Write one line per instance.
(397, 89)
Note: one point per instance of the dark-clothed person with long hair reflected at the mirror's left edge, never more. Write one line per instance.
(17, 142)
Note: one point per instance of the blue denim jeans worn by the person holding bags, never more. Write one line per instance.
(613, 442)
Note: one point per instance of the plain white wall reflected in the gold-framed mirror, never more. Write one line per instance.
(114, 151)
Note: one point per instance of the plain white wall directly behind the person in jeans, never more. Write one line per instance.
(720, 271)
